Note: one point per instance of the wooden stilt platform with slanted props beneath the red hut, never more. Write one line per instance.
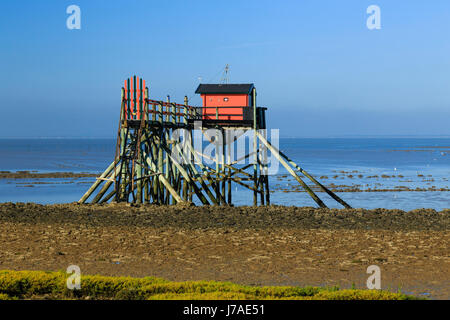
(153, 165)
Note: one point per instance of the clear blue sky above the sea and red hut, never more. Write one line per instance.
(315, 64)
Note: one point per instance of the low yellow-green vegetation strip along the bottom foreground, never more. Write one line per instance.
(52, 285)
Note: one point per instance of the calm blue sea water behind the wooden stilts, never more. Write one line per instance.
(376, 163)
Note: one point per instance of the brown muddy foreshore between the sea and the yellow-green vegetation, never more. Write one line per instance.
(259, 246)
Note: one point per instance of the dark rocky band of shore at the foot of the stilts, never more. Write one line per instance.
(242, 217)
